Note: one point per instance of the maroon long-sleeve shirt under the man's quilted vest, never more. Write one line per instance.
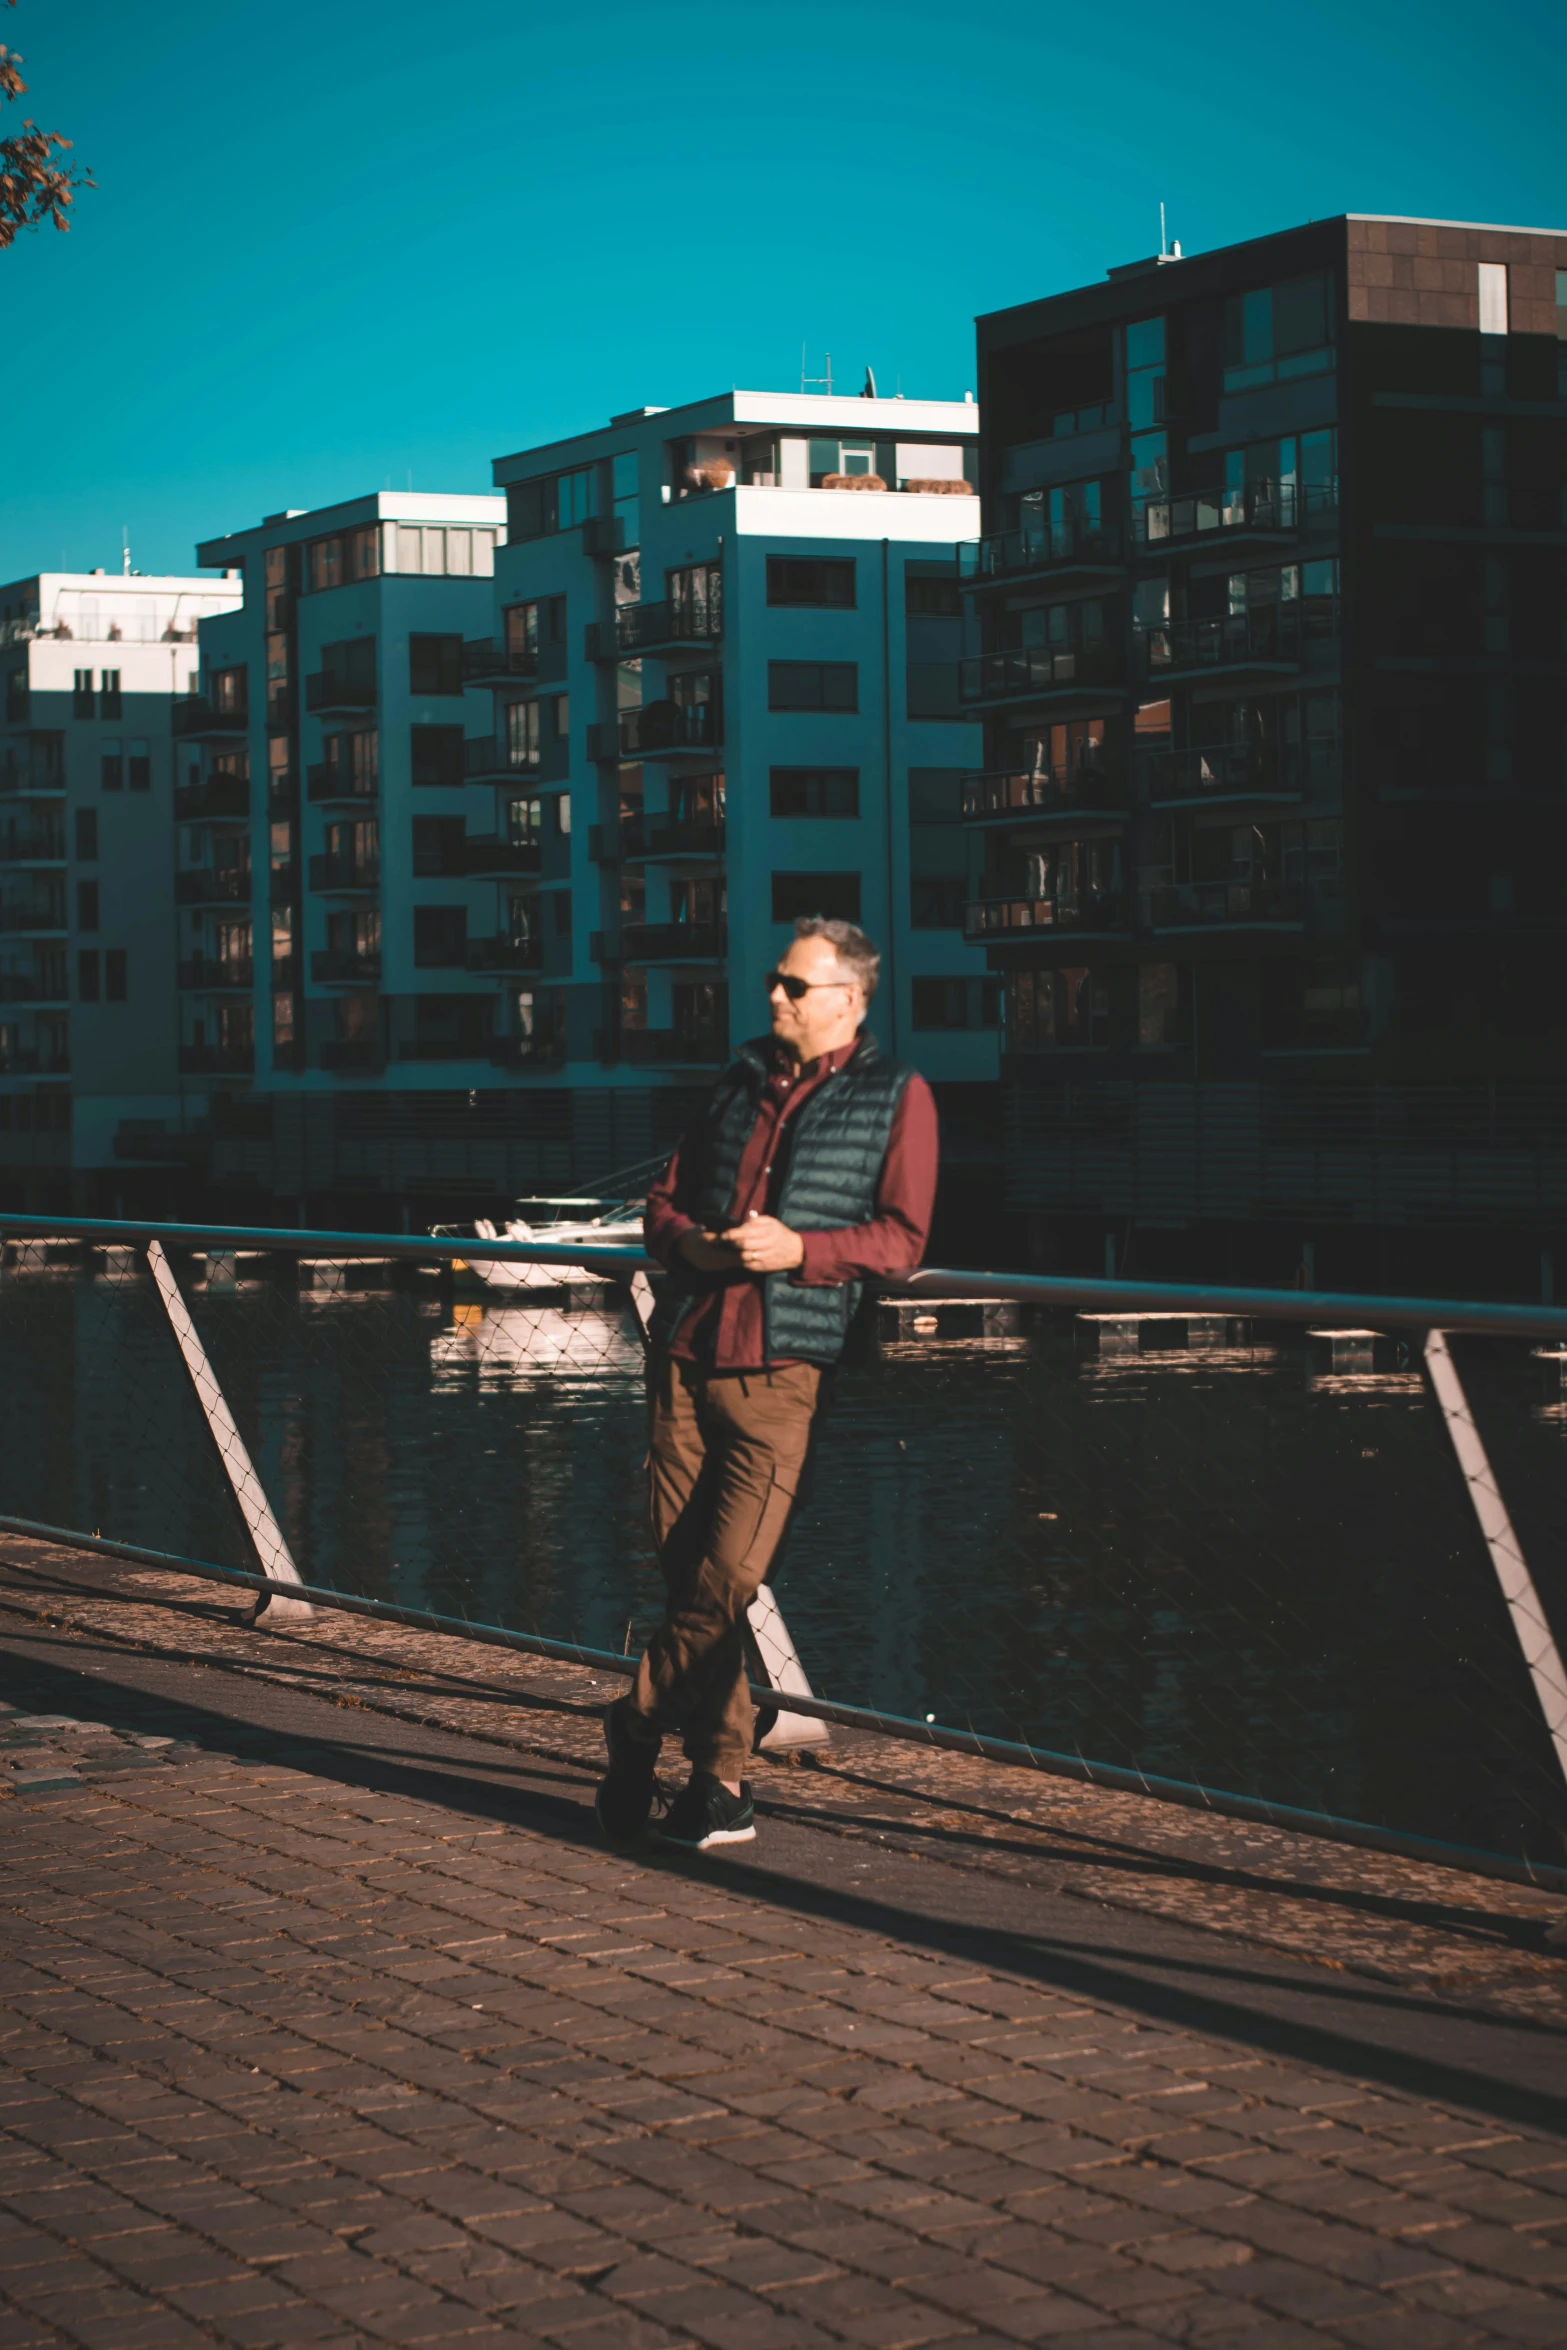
(727, 1327)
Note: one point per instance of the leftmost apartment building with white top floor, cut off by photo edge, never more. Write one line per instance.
(93, 669)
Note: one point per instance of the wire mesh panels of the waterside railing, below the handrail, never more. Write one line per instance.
(1211, 1547)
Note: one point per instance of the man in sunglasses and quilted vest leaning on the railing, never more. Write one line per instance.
(809, 1174)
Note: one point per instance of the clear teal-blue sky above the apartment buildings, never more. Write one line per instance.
(349, 246)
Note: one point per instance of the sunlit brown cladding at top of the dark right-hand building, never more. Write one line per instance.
(1415, 274)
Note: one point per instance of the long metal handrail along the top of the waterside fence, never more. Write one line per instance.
(1061, 1291)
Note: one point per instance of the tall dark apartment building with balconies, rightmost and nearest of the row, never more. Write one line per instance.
(1270, 842)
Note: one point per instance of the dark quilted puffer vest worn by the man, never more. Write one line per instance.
(835, 1148)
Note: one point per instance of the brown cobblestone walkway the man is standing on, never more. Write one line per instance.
(325, 2022)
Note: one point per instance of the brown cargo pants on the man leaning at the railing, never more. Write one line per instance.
(725, 1470)
